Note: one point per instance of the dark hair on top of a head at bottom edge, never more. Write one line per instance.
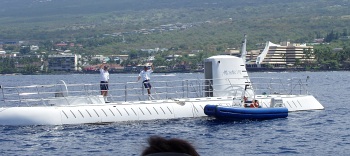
(159, 145)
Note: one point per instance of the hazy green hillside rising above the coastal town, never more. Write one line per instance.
(215, 24)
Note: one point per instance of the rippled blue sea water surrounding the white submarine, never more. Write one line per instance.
(321, 132)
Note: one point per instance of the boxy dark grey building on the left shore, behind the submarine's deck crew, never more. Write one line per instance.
(67, 62)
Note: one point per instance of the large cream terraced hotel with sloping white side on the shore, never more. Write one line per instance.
(284, 54)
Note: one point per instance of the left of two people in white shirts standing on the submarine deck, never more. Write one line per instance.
(104, 78)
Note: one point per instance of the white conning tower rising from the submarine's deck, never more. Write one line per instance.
(225, 75)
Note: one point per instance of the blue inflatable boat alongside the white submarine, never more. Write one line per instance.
(241, 113)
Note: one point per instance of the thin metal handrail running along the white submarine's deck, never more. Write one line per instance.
(133, 91)
